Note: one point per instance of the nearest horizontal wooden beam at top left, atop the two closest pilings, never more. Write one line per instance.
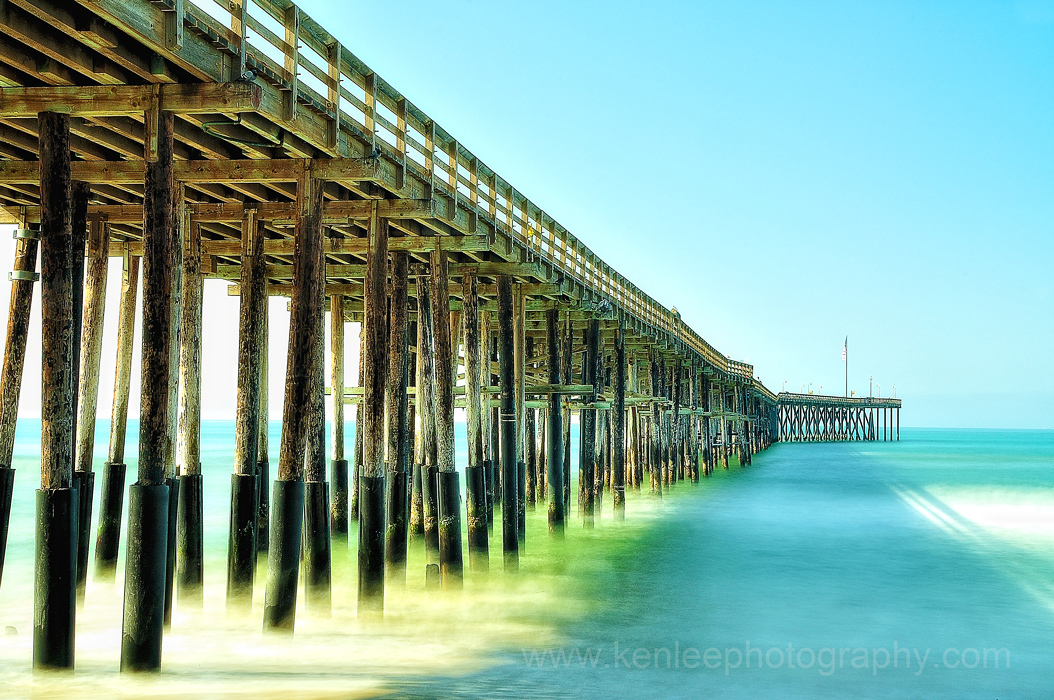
(130, 101)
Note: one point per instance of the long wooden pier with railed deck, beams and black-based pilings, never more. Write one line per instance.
(242, 142)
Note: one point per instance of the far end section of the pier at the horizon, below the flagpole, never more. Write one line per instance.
(814, 418)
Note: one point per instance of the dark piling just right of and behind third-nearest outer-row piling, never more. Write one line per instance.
(398, 426)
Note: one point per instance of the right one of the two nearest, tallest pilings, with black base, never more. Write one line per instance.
(147, 560)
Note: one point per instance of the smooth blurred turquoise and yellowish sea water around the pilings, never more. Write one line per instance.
(934, 549)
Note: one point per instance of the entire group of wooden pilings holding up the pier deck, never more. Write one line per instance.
(649, 419)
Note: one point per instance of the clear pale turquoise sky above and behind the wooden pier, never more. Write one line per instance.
(785, 174)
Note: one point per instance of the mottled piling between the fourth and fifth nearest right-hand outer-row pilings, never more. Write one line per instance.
(475, 412)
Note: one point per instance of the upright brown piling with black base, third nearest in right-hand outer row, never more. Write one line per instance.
(372, 480)
